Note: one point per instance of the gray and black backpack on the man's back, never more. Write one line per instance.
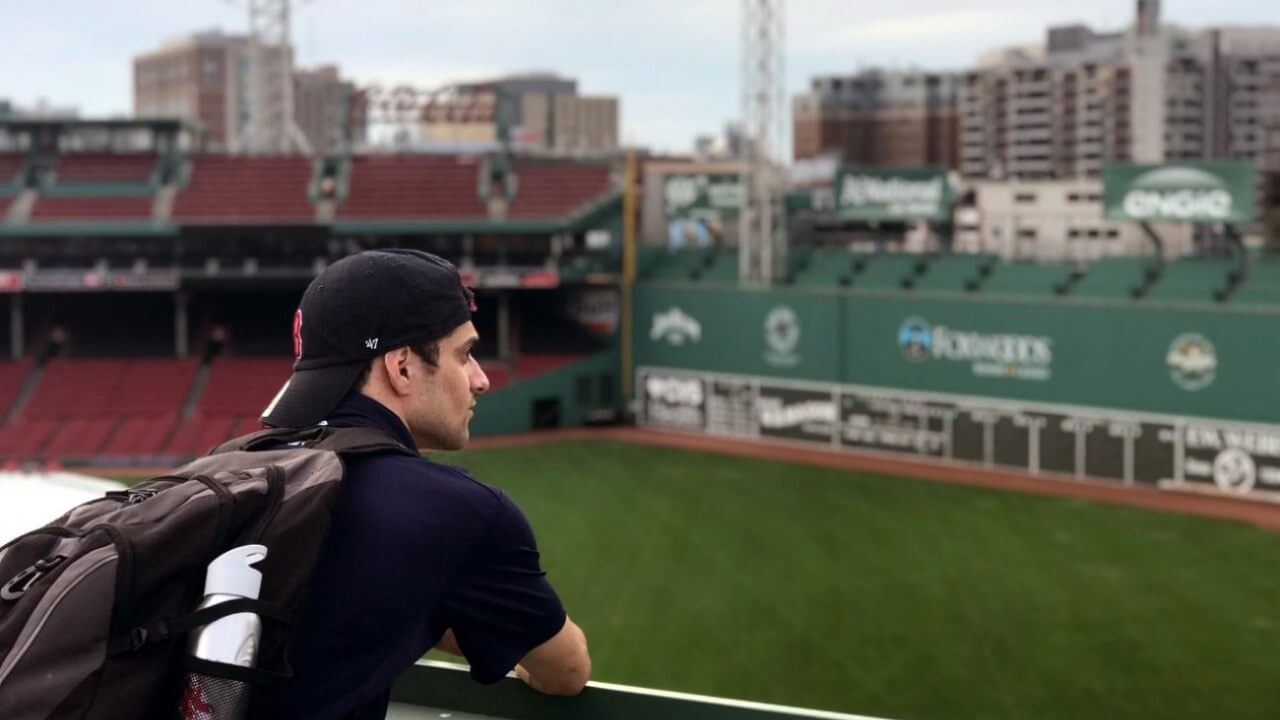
(97, 605)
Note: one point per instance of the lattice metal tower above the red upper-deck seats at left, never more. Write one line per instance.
(272, 125)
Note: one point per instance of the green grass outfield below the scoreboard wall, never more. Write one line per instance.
(895, 598)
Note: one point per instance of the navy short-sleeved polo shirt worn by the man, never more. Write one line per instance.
(415, 549)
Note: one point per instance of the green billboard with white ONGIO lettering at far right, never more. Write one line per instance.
(1219, 192)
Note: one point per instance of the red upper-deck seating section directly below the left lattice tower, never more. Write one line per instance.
(230, 189)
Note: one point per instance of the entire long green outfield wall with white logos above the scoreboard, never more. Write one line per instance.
(1212, 362)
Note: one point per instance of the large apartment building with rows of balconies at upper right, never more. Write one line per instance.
(1145, 94)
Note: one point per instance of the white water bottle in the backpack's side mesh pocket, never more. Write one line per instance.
(231, 641)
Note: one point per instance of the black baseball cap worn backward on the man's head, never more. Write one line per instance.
(358, 309)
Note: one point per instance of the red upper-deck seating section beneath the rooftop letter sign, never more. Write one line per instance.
(413, 188)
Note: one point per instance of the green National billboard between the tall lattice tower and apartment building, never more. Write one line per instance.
(881, 194)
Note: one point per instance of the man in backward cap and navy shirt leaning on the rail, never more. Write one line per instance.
(419, 554)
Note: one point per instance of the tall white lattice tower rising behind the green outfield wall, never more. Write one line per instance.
(762, 229)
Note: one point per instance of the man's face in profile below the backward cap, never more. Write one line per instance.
(445, 400)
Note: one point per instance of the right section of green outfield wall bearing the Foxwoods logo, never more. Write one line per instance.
(1210, 364)
